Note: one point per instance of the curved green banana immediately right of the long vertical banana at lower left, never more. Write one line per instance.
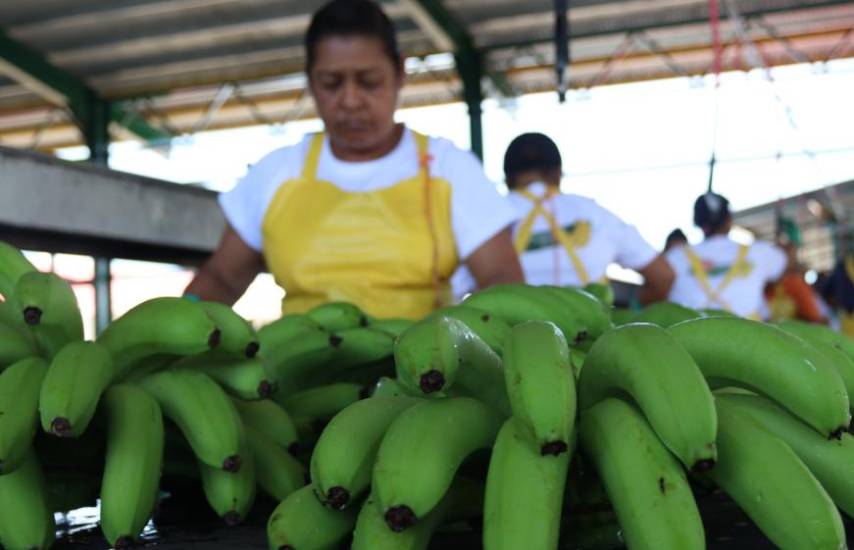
(203, 412)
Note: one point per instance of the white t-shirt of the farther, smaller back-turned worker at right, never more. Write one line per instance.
(744, 294)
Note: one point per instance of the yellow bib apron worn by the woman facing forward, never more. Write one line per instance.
(390, 251)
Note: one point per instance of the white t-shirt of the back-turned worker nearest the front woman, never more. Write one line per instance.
(547, 263)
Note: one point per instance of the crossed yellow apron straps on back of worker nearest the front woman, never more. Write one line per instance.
(570, 241)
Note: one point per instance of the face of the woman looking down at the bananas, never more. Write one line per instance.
(355, 87)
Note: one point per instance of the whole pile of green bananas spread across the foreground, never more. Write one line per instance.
(527, 417)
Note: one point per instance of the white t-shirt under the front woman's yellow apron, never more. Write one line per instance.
(478, 211)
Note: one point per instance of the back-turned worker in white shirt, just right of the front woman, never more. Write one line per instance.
(566, 239)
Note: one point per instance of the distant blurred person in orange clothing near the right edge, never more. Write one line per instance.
(791, 297)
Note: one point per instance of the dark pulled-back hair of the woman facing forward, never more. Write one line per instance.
(348, 18)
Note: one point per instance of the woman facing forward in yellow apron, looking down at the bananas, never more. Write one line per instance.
(369, 211)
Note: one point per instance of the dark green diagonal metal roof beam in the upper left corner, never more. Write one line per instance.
(34, 72)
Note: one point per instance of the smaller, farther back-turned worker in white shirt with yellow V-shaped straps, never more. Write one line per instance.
(720, 273)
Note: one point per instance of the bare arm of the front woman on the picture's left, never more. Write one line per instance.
(231, 268)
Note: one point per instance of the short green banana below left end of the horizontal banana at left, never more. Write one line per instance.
(75, 380)
